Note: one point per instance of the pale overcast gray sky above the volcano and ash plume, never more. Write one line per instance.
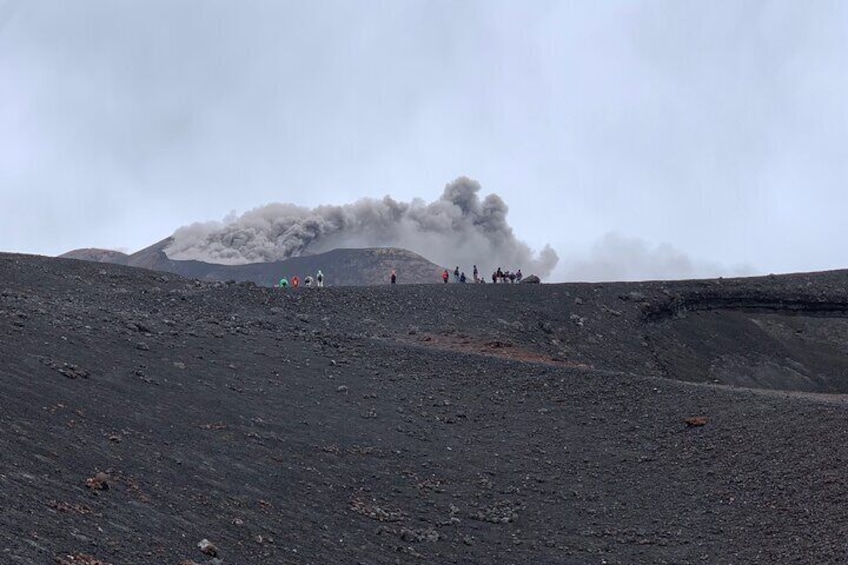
(638, 139)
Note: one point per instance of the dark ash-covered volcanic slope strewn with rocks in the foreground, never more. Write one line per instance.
(147, 418)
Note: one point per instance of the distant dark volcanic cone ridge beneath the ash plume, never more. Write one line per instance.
(347, 267)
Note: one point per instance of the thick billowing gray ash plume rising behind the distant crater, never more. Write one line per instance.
(457, 229)
